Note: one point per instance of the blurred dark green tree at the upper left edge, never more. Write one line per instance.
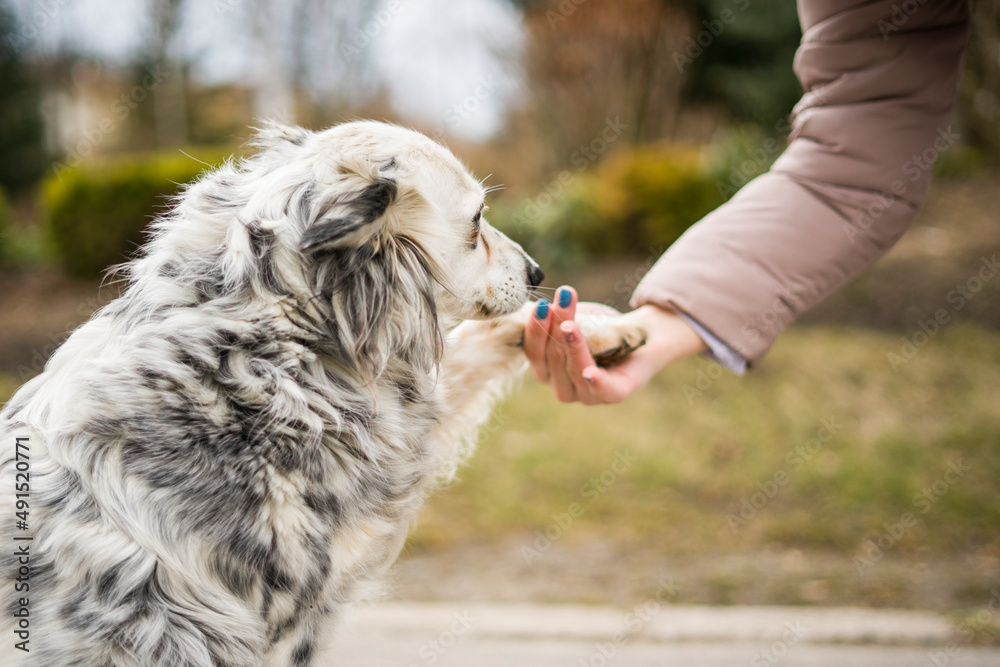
(22, 151)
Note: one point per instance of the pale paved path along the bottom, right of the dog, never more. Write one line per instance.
(649, 635)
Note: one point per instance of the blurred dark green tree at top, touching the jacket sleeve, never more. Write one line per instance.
(740, 55)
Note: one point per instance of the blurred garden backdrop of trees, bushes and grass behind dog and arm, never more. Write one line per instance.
(859, 465)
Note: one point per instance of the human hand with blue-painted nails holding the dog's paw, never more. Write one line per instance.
(557, 350)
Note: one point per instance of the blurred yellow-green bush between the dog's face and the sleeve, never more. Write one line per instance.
(637, 201)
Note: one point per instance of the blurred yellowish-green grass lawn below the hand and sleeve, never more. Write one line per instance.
(699, 454)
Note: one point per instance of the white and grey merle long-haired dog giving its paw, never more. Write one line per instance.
(227, 455)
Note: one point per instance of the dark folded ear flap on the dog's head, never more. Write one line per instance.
(351, 219)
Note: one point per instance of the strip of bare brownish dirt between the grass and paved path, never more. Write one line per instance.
(596, 572)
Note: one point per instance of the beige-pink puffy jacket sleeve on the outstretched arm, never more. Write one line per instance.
(881, 79)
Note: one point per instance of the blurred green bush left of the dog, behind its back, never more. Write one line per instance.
(95, 213)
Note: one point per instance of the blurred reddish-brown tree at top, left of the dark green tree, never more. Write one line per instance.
(601, 71)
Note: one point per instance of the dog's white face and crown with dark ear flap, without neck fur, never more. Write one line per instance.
(376, 185)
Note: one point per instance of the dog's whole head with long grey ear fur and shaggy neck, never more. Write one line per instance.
(369, 229)
